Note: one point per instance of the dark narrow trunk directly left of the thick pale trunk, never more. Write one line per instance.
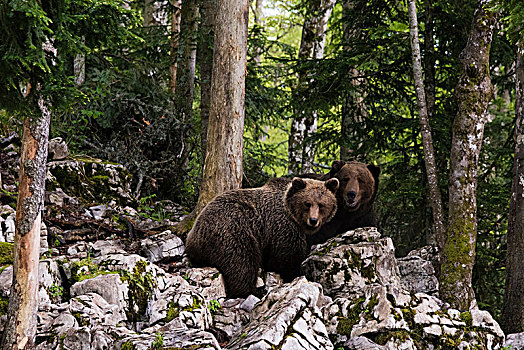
(205, 58)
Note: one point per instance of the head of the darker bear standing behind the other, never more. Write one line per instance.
(358, 184)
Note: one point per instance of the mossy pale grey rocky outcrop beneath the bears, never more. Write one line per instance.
(114, 276)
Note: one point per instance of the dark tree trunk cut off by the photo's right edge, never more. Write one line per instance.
(513, 307)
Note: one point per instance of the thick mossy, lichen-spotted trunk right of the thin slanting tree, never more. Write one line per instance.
(473, 93)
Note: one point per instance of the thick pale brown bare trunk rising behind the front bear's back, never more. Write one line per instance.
(223, 163)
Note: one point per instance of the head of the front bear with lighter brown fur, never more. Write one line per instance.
(311, 203)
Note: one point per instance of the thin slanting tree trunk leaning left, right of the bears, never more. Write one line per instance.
(437, 235)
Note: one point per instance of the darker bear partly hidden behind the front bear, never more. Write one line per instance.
(355, 198)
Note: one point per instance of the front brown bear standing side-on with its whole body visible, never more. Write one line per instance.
(243, 230)
